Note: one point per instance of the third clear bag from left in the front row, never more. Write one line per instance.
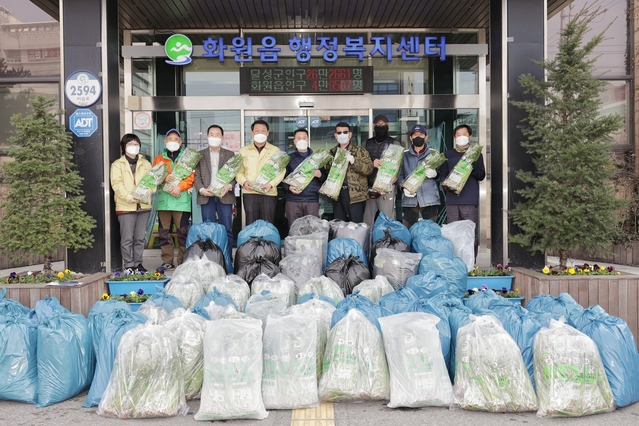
(289, 378)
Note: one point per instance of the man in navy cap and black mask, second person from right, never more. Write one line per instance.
(426, 200)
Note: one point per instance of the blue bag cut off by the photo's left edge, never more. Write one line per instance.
(18, 359)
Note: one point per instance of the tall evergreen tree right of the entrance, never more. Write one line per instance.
(569, 200)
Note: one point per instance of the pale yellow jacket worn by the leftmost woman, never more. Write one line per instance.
(123, 182)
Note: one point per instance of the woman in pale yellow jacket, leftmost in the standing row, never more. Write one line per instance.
(133, 215)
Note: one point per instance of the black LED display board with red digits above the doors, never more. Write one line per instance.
(293, 80)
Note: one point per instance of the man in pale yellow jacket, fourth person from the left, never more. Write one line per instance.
(255, 156)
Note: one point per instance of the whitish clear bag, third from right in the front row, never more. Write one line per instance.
(418, 374)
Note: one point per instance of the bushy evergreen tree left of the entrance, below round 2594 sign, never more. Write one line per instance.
(43, 210)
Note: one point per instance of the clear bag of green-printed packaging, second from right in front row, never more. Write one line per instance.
(490, 374)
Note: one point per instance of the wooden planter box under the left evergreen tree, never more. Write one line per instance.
(78, 299)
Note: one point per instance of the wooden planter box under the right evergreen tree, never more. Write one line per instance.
(617, 294)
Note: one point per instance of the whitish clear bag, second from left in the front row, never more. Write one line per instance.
(232, 371)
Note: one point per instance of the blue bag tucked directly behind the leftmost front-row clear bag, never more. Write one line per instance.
(113, 326)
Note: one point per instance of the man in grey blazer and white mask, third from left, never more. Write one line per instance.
(214, 157)
